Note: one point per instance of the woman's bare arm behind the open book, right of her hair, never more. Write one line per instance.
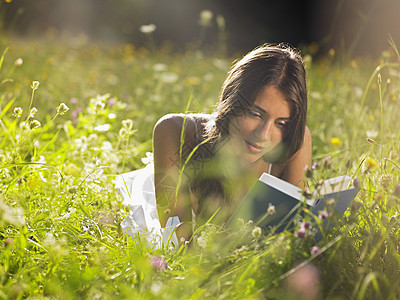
(294, 172)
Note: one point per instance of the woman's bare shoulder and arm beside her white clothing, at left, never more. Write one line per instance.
(166, 150)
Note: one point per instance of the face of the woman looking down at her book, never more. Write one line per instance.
(259, 130)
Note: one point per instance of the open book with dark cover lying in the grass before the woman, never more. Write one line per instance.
(287, 200)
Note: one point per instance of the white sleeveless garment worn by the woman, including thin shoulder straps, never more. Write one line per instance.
(138, 193)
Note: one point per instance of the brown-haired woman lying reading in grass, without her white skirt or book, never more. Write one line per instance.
(204, 163)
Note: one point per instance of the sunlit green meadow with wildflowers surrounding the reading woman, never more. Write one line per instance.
(75, 113)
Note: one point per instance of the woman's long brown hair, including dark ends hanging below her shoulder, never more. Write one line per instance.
(278, 65)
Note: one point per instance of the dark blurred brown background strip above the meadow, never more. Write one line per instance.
(352, 26)
